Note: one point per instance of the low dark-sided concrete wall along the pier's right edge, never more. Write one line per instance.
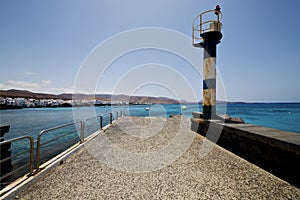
(276, 151)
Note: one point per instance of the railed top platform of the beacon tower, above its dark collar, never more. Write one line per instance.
(205, 22)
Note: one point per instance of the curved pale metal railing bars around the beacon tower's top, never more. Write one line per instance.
(199, 27)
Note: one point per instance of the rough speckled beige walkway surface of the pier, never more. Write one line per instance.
(156, 158)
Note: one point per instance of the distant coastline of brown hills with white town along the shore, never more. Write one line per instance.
(16, 99)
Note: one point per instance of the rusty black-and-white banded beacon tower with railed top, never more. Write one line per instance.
(210, 35)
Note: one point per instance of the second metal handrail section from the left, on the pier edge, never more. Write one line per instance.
(38, 148)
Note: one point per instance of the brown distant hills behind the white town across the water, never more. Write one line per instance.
(104, 97)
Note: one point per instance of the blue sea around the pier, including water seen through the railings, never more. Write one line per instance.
(30, 121)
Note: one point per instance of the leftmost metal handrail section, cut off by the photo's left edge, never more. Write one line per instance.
(31, 164)
